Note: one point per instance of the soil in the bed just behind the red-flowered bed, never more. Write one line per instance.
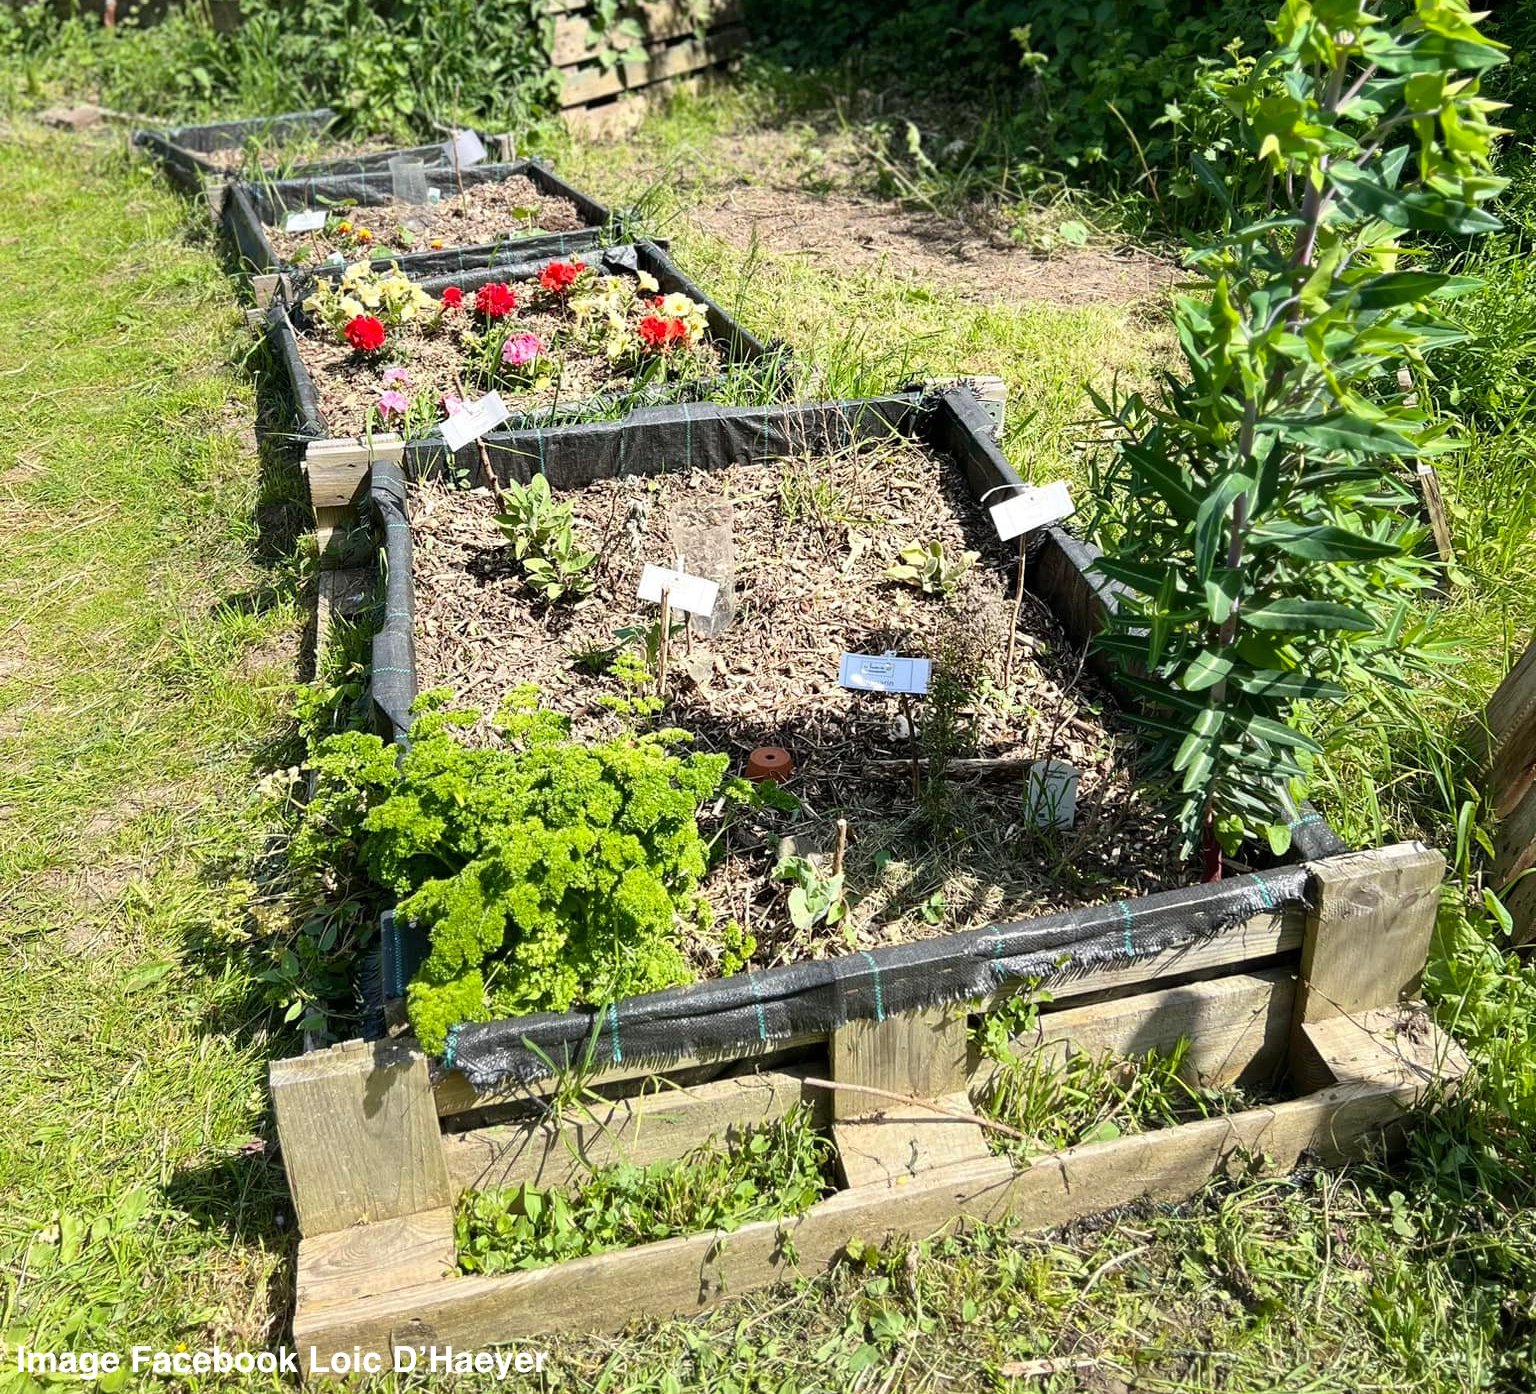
(482, 214)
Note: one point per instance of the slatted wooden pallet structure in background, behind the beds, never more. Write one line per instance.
(604, 97)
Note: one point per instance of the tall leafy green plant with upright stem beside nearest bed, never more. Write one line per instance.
(1265, 552)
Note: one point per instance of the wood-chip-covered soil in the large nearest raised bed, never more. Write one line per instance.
(807, 584)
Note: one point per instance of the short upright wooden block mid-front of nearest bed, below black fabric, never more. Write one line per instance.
(922, 1054)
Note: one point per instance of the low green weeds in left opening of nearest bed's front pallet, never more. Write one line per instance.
(776, 1171)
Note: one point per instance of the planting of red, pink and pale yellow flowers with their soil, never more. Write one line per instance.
(386, 355)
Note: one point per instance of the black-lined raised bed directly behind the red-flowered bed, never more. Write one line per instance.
(485, 216)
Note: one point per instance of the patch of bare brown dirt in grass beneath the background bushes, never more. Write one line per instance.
(847, 231)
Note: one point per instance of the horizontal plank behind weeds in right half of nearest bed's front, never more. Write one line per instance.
(1239, 1029)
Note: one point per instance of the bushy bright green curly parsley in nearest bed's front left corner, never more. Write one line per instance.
(546, 873)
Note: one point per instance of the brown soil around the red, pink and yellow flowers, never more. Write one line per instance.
(440, 362)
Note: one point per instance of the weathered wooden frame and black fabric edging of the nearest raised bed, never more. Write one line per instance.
(1285, 983)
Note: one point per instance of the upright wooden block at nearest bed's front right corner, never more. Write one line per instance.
(1369, 930)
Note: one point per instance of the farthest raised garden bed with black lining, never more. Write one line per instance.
(285, 147)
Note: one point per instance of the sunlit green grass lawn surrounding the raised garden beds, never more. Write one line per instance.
(153, 604)
